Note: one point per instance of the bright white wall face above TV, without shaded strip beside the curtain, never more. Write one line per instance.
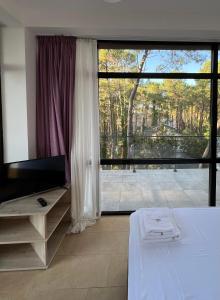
(14, 97)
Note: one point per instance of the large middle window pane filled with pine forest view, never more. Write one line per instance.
(154, 118)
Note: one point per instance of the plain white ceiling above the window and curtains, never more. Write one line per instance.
(129, 19)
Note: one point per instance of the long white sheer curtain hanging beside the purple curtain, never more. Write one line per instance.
(85, 148)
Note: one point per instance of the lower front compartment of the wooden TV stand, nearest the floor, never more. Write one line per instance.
(19, 257)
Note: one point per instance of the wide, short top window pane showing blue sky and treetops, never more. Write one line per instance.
(154, 61)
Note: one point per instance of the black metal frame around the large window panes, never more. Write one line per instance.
(213, 76)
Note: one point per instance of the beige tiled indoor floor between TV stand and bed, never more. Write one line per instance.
(89, 266)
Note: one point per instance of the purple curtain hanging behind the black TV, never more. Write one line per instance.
(55, 93)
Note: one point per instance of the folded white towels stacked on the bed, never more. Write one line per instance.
(158, 225)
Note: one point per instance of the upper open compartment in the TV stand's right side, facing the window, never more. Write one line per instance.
(54, 218)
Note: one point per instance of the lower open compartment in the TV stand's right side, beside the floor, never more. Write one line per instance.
(55, 241)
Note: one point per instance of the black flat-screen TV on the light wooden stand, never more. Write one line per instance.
(27, 177)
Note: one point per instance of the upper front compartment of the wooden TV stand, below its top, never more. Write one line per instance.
(16, 231)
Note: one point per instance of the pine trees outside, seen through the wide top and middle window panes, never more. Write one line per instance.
(152, 114)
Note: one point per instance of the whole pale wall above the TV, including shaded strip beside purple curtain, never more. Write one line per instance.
(18, 93)
